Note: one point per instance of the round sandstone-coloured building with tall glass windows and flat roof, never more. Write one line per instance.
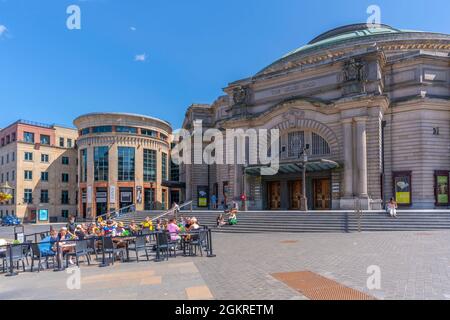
(124, 159)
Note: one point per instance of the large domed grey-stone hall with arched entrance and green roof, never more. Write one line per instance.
(371, 103)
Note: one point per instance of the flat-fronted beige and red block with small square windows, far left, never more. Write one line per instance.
(40, 162)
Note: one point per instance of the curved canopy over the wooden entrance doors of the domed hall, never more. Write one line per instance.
(293, 167)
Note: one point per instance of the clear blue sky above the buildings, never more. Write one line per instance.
(192, 49)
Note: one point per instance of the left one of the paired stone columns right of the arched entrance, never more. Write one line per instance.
(347, 125)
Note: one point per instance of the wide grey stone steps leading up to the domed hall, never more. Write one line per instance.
(314, 221)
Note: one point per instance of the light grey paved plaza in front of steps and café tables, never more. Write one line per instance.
(413, 265)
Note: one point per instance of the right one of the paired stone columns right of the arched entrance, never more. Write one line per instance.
(361, 156)
